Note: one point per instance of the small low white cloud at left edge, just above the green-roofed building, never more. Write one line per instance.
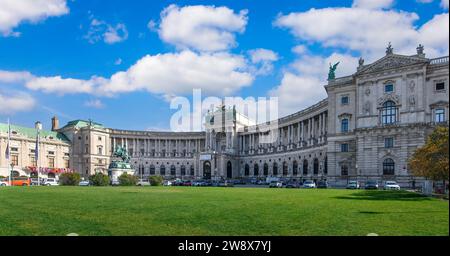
(11, 103)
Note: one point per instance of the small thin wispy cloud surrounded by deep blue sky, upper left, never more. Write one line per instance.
(110, 34)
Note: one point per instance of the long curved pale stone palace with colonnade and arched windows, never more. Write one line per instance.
(367, 128)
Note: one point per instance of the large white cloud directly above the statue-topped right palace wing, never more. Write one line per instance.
(370, 31)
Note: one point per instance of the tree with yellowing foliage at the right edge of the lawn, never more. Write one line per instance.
(431, 160)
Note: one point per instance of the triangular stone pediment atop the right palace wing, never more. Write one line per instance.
(391, 61)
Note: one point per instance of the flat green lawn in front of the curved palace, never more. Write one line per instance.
(217, 211)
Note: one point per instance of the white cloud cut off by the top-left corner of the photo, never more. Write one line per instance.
(14, 12)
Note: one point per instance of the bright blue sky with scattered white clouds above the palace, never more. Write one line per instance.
(120, 62)
